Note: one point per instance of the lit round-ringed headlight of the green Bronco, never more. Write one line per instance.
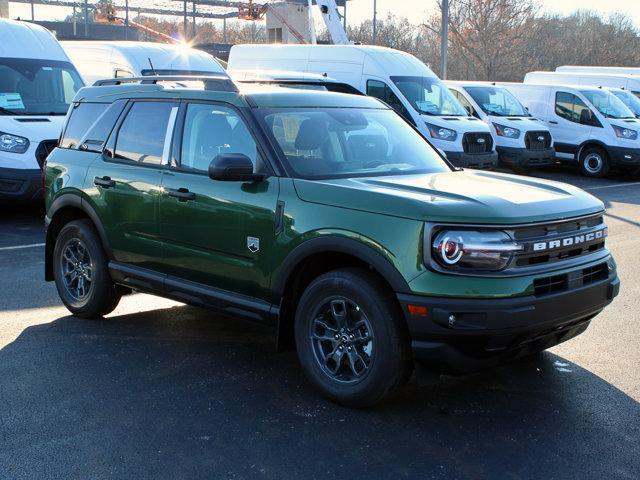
(461, 250)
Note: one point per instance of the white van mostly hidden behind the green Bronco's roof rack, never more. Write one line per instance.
(98, 60)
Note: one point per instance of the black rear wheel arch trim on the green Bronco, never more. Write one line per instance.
(64, 209)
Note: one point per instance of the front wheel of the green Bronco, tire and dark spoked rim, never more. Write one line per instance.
(365, 301)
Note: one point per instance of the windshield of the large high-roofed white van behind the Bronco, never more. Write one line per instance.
(428, 95)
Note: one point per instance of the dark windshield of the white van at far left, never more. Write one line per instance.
(37, 87)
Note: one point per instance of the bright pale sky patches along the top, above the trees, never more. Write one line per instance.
(417, 10)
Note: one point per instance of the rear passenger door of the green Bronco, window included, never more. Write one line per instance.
(125, 181)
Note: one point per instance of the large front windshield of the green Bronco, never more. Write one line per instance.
(349, 142)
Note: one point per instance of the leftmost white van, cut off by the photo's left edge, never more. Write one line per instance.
(37, 85)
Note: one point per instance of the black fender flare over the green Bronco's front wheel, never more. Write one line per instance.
(333, 243)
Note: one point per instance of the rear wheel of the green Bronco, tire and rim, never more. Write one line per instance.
(78, 256)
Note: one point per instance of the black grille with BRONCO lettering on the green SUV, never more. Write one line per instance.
(590, 231)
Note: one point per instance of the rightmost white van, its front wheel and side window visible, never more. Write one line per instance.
(589, 125)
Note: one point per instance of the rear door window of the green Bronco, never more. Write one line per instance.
(144, 132)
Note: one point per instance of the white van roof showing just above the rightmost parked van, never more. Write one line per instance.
(626, 81)
